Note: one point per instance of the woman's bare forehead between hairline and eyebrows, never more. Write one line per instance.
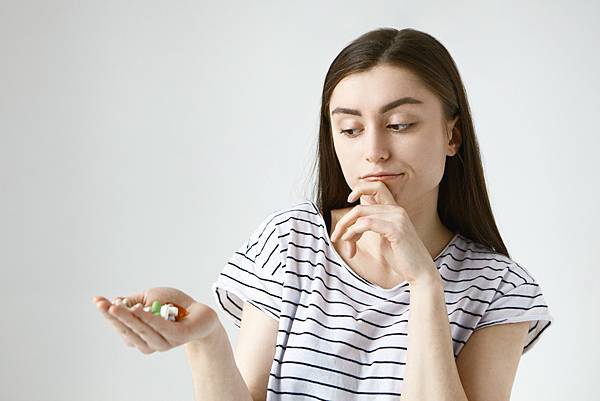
(369, 90)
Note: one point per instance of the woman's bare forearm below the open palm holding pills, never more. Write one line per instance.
(214, 371)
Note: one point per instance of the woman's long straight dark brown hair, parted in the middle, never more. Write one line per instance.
(463, 203)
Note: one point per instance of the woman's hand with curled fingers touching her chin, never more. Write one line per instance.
(402, 248)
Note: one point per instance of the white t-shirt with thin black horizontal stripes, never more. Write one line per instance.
(341, 337)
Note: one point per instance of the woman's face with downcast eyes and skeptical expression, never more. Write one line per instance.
(409, 138)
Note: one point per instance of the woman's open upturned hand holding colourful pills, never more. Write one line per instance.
(150, 333)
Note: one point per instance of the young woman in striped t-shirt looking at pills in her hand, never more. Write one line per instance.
(384, 286)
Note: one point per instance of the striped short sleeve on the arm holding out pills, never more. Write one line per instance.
(253, 274)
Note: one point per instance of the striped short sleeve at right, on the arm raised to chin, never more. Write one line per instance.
(519, 298)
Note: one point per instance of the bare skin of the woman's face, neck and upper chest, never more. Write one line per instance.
(386, 142)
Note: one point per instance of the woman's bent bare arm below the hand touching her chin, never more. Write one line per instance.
(485, 368)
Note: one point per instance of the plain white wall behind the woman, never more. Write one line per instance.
(142, 141)
